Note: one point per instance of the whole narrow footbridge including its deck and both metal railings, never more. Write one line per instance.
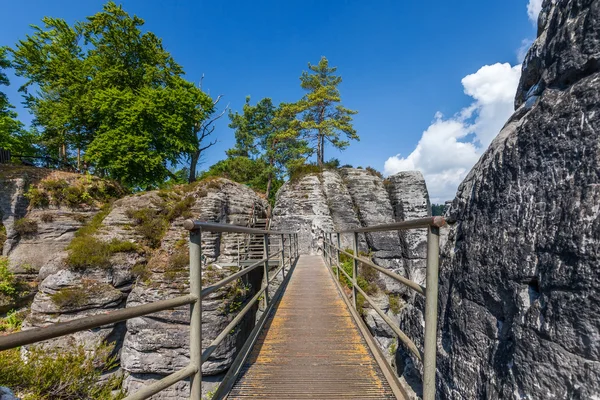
(310, 341)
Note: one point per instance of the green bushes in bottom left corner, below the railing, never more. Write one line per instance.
(59, 374)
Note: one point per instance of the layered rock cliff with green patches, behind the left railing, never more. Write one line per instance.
(98, 255)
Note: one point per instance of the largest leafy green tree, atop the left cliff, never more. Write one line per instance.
(112, 92)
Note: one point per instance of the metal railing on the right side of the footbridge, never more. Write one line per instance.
(430, 291)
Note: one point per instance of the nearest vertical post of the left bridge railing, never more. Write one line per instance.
(196, 312)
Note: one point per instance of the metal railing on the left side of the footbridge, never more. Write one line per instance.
(285, 256)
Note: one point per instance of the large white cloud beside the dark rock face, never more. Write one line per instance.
(449, 147)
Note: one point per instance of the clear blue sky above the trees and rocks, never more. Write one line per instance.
(402, 63)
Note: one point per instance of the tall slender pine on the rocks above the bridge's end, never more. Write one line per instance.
(321, 117)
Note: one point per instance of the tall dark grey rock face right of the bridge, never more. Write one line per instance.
(520, 298)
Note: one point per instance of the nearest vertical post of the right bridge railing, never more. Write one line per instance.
(431, 297)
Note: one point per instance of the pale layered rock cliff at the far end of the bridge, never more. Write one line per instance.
(349, 198)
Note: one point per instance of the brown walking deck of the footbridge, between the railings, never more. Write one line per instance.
(311, 346)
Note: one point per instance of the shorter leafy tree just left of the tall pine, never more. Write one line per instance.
(263, 131)
